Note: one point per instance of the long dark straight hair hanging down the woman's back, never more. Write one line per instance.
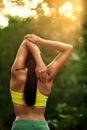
(31, 83)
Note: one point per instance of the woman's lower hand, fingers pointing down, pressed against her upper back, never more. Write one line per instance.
(41, 72)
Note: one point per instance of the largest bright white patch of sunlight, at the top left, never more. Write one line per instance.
(11, 8)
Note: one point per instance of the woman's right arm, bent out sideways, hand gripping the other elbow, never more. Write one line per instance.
(58, 62)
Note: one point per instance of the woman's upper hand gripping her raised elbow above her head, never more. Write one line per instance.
(33, 38)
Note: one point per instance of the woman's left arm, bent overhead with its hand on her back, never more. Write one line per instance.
(19, 63)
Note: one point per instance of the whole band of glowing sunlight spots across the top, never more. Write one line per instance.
(28, 8)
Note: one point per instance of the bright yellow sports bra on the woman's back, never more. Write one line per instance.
(17, 97)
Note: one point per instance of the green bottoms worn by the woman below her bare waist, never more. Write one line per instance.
(29, 125)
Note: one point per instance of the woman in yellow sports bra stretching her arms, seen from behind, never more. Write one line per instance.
(31, 81)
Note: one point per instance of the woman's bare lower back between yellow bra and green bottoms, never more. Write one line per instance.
(29, 112)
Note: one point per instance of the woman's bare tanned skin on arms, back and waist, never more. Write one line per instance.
(45, 74)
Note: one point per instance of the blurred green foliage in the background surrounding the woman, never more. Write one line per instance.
(67, 104)
